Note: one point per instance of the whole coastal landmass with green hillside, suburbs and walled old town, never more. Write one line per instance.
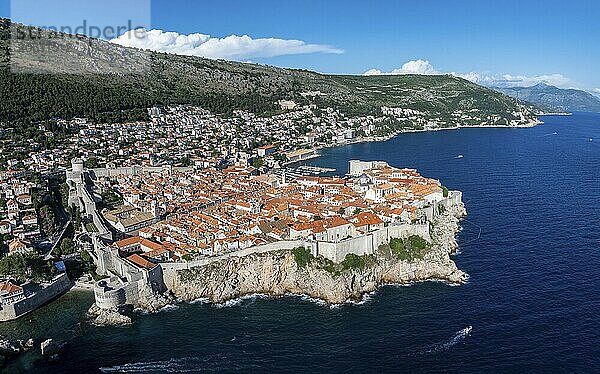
(155, 182)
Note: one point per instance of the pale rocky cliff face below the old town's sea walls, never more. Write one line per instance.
(277, 273)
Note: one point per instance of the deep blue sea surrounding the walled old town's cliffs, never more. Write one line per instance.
(531, 245)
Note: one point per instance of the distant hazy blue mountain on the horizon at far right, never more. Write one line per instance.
(554, 98)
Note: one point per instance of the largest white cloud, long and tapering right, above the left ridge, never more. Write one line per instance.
(232, 47)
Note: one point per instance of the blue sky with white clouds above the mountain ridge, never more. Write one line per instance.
(530, 40)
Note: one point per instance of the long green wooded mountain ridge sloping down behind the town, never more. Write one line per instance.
(79, 87)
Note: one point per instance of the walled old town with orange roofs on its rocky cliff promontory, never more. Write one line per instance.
(218, 235)
